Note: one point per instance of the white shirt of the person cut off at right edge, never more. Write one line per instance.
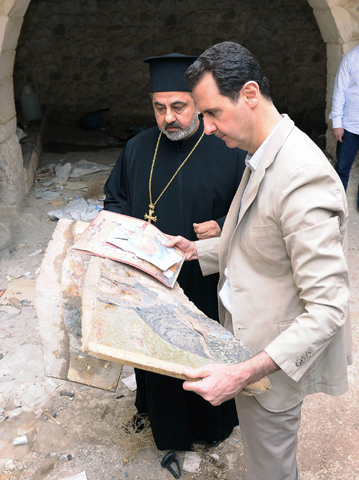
(345, 109)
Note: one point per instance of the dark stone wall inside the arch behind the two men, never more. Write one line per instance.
(83, 55)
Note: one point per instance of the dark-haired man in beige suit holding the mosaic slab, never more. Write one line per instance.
(284, 286)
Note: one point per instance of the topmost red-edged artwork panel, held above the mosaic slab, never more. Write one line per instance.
(132, 241)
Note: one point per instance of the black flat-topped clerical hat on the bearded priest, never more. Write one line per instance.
(167, 72)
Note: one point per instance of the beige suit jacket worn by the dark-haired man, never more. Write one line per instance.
(287, 268)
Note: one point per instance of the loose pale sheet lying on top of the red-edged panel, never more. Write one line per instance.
(145, 247)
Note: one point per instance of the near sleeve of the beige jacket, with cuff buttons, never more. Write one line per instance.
(313, 238)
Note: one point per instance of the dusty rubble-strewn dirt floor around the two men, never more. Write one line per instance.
(86, 438)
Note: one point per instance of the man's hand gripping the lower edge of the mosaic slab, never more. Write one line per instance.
(221, 382)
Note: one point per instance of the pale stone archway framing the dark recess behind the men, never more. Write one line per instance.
(338, 21)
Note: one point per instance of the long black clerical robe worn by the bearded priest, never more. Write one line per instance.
(202, 190)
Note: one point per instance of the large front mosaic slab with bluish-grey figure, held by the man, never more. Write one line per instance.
(132, 319)
